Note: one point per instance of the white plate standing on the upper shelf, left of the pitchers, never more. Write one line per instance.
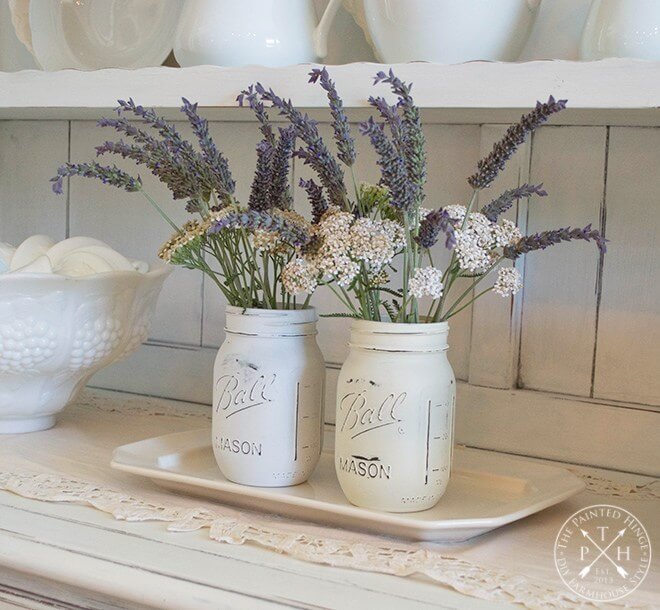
(93, 34)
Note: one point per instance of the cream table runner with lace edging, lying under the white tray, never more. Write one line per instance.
(70, 463)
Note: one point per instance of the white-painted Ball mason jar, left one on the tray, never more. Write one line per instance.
(268, 391)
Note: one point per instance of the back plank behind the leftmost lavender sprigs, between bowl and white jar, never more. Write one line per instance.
(128, 223)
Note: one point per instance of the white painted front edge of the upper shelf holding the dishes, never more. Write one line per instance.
(608, 84)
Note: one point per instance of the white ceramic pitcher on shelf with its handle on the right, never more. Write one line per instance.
(245, 32)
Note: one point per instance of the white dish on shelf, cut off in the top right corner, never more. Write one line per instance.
(622, 28)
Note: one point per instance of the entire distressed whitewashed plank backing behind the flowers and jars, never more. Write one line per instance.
(566, 370)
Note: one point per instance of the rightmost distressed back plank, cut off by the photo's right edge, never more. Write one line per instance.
(628, 350)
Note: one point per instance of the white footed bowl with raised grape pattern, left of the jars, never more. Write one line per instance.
(57, 331)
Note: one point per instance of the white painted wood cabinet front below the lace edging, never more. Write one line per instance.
(141, 564)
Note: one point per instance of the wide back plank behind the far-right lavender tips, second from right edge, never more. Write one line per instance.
(559, 303)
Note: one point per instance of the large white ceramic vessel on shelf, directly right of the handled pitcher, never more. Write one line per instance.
(446, 31)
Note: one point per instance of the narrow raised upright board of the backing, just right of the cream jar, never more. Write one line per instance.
(495, 320)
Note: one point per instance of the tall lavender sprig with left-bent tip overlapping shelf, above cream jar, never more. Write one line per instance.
(413, 134)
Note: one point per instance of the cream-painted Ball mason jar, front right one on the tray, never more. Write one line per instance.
(395, 416)
